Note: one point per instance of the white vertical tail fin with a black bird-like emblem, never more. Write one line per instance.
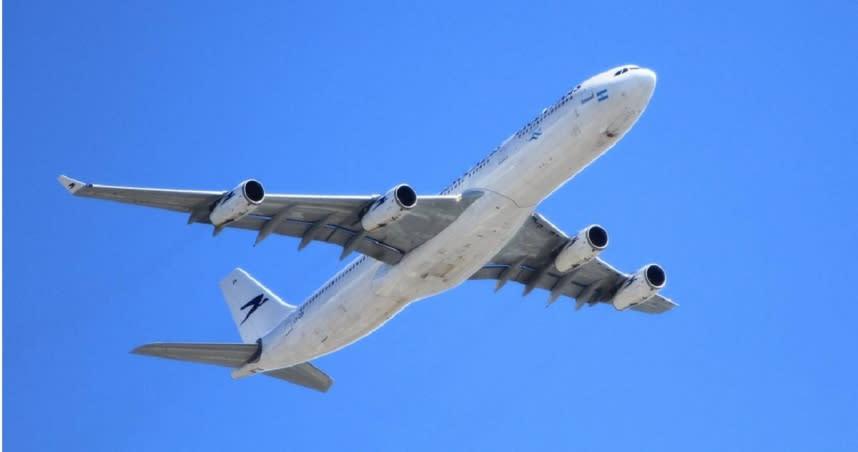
(255, 309)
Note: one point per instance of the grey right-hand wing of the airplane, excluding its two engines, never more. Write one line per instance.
(529, 260)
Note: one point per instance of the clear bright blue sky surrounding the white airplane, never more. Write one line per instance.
(738, 179)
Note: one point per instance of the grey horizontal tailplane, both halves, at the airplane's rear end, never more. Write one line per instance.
(236, 355)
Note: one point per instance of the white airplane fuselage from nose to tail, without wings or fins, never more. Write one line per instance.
(512, 180)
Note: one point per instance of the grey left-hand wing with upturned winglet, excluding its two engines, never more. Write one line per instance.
(331, 219)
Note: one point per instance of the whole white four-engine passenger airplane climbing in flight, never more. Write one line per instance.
(482, 226)
